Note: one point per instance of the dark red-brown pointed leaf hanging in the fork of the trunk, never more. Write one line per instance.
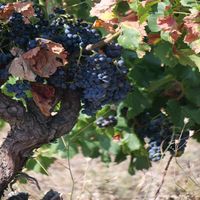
(44, 96)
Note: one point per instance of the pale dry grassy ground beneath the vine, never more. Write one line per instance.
(93, 180)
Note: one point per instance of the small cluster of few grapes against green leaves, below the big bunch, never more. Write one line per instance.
(103, 122)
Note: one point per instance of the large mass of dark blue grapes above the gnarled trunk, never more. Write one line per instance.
(99, 78)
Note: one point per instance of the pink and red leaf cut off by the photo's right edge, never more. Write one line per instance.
(192, 25)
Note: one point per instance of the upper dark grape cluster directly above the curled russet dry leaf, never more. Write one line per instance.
(72, 34)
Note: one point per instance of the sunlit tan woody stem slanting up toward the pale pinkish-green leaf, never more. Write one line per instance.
(103, 42)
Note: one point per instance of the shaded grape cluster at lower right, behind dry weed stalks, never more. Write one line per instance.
(160, 137)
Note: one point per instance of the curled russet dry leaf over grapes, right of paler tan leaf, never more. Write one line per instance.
(46, 58)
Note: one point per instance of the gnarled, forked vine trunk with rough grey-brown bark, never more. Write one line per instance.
(29, 130)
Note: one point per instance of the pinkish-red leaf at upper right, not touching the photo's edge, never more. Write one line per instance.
(169, 25)
